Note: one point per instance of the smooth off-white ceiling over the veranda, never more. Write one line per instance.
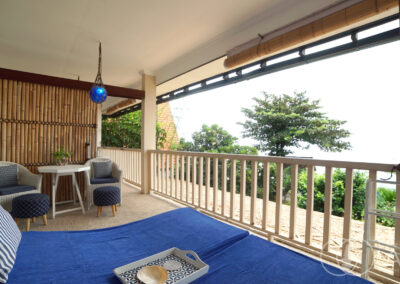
(160, 37)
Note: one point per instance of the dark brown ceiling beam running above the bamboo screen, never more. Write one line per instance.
(113, 91)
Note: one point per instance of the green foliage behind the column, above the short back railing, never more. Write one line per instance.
(125, 131)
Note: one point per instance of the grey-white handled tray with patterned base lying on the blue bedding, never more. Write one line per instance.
(190, 267)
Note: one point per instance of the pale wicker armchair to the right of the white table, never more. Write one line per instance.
(92, 183)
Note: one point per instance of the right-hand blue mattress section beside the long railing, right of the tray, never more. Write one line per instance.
(255, 260)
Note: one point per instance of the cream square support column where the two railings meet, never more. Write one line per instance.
(149, 118)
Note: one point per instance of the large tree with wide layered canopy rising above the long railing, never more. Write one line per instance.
(280, 123)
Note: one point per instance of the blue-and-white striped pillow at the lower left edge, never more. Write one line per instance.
(10, 237)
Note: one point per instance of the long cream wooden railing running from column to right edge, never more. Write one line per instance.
(205, 181)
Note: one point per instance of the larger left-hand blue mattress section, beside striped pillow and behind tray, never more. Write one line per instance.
(91, 256)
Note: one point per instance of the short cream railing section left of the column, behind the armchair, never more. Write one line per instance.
(129, 160)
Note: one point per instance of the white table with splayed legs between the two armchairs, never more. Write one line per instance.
(68, 170)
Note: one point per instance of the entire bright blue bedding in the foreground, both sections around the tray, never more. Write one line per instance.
(233, 255)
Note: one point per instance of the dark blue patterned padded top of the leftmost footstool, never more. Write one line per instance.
(30, 205)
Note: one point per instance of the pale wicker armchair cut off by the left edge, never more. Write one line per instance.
(27, 183)
